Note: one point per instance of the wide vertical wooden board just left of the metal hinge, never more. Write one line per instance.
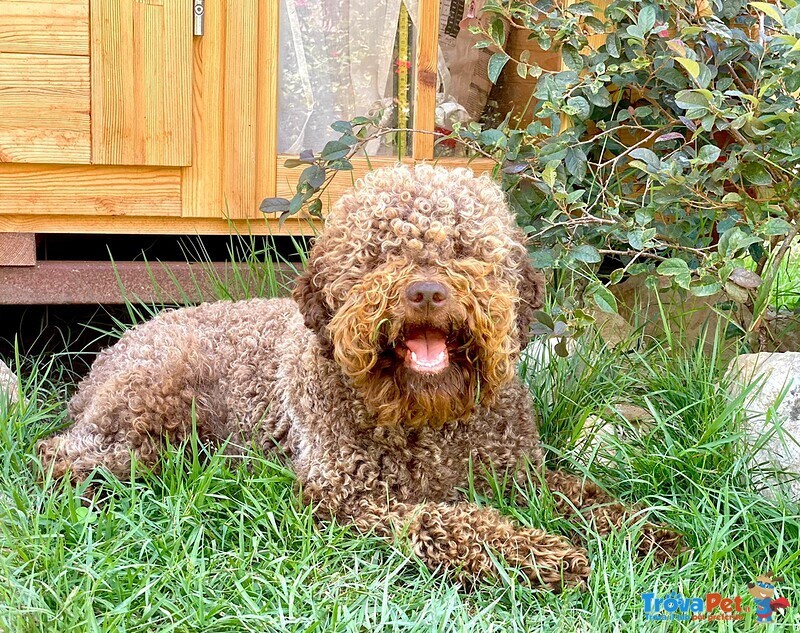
(141, 82)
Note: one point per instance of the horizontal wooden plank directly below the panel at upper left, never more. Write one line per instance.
(110, 191)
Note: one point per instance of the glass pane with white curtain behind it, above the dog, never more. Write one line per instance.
(340, 59)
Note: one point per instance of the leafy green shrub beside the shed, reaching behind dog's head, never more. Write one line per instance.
(671, 149)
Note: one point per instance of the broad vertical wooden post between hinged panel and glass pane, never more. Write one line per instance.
(234, 111)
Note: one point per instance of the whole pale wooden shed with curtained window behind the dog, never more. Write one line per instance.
(164, 117)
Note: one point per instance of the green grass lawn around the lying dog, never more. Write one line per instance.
(219, 544)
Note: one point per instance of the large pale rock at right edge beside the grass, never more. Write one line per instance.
(773, 414)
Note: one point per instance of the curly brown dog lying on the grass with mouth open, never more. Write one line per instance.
(388, 380)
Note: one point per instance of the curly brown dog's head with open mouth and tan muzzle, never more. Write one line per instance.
(422, 291)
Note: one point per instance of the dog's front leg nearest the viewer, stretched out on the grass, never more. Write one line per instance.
(463, 538)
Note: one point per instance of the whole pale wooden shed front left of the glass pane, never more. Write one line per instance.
(130, 124)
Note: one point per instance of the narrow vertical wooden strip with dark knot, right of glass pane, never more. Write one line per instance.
(426, 76)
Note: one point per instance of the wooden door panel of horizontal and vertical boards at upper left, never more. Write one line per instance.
(104, 82)
